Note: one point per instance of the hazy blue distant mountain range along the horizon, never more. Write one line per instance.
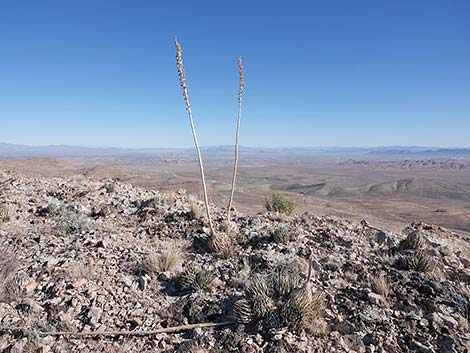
(63, 151)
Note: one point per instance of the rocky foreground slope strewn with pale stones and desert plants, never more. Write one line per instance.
(81, 255)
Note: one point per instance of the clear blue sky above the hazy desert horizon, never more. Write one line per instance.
(318, 73)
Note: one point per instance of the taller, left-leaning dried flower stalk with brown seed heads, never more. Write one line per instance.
(182, 77)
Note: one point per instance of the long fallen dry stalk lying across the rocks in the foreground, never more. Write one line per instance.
(117, 333)
